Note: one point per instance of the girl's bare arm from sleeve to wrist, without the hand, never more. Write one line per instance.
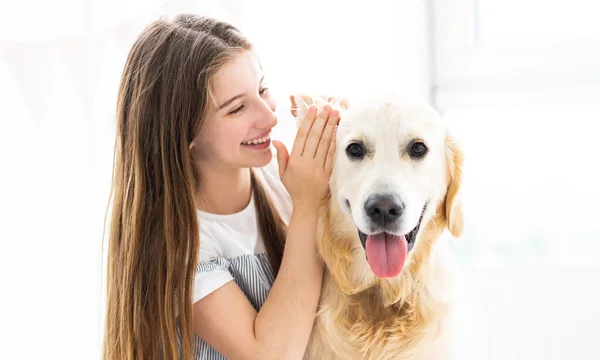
(226, 320)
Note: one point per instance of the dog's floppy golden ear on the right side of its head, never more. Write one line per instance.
(454, 211)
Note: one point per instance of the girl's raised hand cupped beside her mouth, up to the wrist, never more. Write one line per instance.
(306, 172)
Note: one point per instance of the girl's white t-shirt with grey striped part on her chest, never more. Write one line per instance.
(232, 248)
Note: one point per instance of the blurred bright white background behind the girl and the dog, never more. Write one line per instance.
(519, 82)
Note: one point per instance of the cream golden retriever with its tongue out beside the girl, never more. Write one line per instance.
(387, 288)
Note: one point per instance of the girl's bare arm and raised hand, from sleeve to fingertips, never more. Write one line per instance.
(225, 319)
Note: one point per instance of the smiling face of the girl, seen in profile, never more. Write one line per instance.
(237, 130)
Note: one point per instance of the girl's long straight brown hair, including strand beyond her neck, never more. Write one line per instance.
(153, 247)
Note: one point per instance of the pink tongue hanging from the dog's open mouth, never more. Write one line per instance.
(386, 254)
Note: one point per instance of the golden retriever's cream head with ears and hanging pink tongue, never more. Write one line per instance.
(396, 169)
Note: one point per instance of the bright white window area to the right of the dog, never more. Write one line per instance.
(519, 81)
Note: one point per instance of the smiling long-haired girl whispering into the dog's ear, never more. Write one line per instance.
(212, 248)
